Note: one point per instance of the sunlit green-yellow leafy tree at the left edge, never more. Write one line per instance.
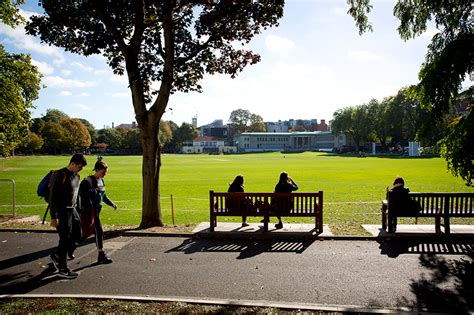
(19, 87)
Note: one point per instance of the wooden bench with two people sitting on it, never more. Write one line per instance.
(267, 205)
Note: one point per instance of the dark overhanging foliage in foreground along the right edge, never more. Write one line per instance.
(447, 62)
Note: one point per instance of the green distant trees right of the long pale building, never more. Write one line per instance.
(395, 121)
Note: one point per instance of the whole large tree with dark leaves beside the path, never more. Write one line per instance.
(173, 42)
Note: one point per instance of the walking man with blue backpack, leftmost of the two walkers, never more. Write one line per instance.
(64, 186)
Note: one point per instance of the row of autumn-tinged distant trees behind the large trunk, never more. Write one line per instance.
(56, 133)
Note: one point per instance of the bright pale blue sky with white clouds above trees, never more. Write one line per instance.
(312, 64)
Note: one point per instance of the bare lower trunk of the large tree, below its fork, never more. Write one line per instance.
(151, 213)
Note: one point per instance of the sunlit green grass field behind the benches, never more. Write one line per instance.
(353, 187)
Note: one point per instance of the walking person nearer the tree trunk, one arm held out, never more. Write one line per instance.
(92, 192)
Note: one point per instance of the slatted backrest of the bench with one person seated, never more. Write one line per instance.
(452, 204)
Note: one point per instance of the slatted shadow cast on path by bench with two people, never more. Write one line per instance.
(246, 248)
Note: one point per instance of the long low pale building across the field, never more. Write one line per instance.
(289, 141)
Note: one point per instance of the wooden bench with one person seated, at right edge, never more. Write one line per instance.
(433, 205)
